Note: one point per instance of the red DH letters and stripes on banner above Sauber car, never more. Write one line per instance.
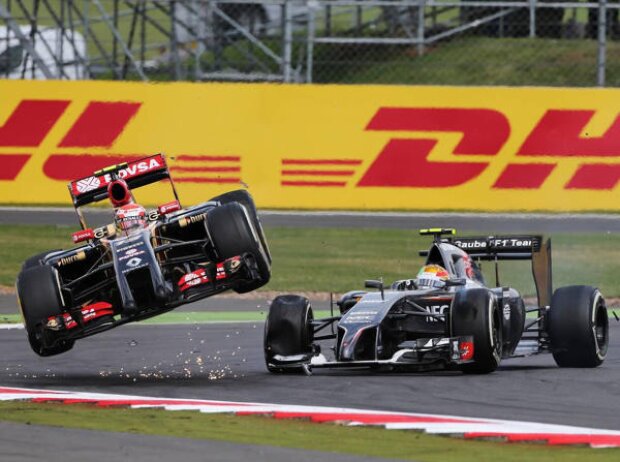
(404, 162)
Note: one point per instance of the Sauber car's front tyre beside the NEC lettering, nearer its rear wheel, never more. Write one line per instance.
(474, 312)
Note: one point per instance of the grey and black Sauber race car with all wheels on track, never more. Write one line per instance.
(462, 325)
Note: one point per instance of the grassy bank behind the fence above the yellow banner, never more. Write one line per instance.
(470, 61)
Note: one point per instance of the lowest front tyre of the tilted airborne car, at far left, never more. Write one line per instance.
(39, 298)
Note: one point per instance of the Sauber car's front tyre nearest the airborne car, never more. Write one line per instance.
(288, 331)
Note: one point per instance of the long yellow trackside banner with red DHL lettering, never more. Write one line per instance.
(321, 147)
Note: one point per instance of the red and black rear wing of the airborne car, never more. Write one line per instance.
(137, 173)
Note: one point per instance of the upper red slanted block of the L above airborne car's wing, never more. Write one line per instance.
(100, 124)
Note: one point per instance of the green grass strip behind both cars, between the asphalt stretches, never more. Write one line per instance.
(338, 260)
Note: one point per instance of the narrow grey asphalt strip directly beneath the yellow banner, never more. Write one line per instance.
(483, 222)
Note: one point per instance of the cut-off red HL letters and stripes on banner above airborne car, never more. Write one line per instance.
(96, 128)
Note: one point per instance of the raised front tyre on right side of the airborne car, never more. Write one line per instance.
(233, 234)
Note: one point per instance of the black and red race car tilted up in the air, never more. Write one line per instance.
(178, 256)
